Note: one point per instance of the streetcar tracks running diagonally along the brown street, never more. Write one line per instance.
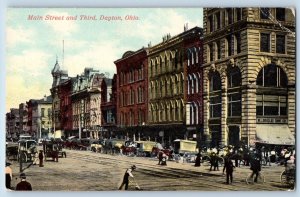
(190, 177)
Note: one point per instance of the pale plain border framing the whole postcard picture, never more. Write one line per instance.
(130, 3)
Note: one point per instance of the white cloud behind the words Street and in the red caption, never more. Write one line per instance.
(62, 27)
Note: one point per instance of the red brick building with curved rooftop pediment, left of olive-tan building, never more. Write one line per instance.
(132, 94)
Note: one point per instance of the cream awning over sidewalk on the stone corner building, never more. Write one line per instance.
(279, 134)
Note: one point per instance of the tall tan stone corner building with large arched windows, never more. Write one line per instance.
(249, 76)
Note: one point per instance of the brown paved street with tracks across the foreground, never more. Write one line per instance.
(89, 171)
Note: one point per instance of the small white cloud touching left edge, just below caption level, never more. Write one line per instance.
(18, 35)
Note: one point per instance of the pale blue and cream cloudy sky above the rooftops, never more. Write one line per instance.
(32, 46)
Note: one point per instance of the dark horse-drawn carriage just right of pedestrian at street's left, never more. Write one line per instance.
(53, 149)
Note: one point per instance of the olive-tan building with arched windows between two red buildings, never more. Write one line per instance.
(167, 72)
